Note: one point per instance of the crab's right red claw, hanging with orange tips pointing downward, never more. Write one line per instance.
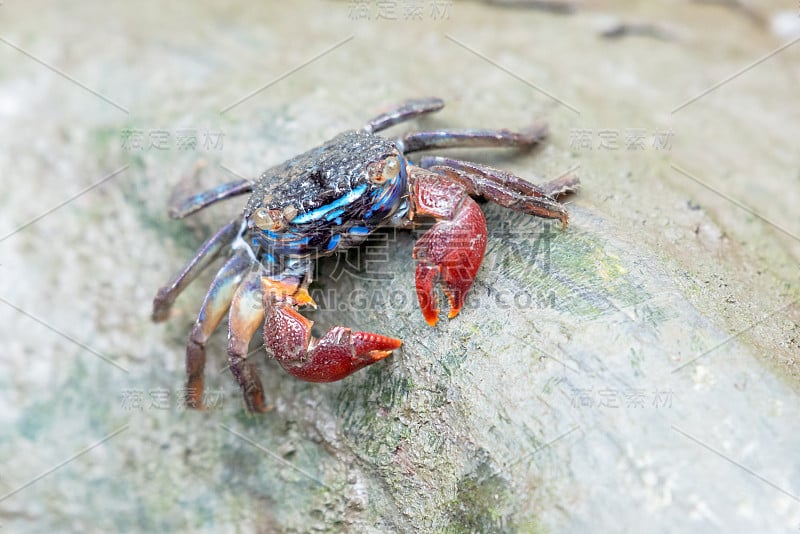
(452, 249)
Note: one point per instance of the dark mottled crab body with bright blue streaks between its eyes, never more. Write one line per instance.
(329, 197)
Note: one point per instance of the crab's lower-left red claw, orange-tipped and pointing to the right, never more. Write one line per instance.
(287, 334)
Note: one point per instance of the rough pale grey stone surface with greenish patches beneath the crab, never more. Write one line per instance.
(552, 403)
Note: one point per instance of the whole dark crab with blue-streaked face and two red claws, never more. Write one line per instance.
(325, 201)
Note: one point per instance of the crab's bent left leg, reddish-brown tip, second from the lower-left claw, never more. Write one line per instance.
(216, 303)
